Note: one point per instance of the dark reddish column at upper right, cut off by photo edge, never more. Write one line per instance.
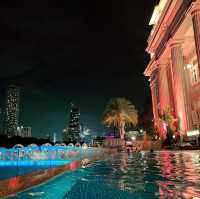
(196, 27)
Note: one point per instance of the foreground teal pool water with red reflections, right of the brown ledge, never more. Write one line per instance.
(143, 175)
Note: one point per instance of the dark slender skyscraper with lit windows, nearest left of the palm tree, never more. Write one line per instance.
(72, 133)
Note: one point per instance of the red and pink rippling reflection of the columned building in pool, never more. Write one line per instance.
(181, 171)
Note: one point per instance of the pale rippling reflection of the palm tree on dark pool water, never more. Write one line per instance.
(126, 169)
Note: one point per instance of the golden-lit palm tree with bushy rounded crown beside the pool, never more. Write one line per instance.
(120, 112)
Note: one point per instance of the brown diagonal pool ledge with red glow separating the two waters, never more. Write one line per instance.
(20, 183)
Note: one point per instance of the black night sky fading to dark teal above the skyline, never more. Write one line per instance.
(85, 51)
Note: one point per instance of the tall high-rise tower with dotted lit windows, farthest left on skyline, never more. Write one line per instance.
(11, 110)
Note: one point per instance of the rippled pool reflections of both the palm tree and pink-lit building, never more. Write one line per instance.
(164, 174)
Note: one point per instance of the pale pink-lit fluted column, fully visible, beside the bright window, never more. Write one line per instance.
(179, 86)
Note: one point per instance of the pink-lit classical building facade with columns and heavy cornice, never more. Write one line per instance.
(174, 67)
